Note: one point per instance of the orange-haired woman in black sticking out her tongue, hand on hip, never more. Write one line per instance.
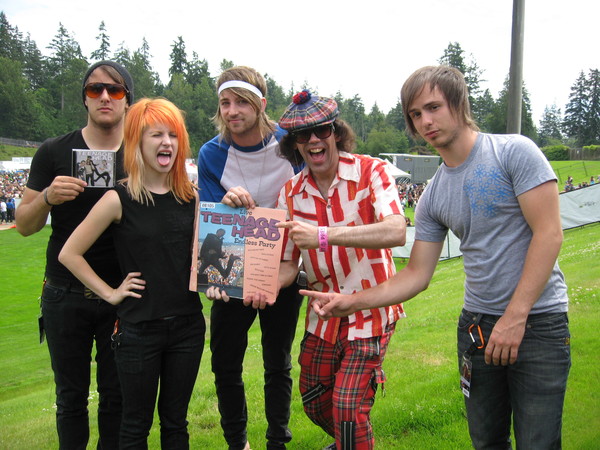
(160, 331)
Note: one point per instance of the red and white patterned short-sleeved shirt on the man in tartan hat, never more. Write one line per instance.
(363, 192)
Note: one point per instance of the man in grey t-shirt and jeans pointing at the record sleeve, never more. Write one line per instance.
(498, 194)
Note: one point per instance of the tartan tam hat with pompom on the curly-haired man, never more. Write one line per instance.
(308, 111)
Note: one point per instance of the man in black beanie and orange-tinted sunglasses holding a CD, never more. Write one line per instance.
(73, 317)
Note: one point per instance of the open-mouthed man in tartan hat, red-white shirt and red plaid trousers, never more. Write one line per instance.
(344, 215)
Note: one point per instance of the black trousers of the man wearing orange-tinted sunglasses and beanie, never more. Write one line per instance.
(72, 323)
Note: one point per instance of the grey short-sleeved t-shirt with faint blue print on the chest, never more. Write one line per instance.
(478, 202)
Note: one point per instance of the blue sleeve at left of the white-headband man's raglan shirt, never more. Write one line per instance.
(211, 163)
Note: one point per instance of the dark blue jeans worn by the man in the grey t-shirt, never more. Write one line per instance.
(532, 389)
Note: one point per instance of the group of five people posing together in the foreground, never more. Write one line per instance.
(117, 268)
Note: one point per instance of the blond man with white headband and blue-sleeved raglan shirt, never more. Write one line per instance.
(240, 167)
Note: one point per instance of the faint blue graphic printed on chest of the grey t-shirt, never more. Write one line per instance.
(485, 190)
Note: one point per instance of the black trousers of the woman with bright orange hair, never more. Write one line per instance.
(166, 352)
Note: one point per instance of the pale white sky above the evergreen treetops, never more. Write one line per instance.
(364, 48)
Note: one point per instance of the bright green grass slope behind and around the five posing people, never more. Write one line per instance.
(422, 407)
